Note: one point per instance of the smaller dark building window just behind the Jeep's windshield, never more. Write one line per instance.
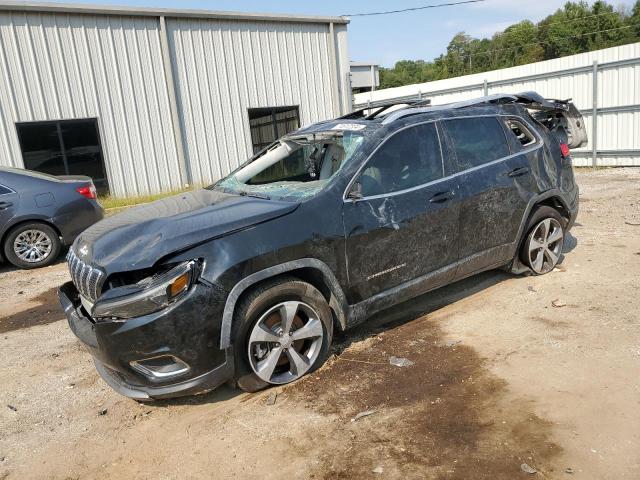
(269, 124)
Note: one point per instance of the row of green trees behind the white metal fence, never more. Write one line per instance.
(574, 28)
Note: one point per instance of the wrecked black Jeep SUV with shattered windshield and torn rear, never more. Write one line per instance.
(247, 279)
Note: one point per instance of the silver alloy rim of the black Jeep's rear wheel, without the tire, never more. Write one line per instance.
(545, 245)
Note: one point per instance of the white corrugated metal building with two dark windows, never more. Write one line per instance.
(148, 100)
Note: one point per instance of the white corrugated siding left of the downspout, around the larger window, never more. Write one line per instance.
(56, 66)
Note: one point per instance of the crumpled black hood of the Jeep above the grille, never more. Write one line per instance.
(140, 236)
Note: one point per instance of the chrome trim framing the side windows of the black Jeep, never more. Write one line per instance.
(532, 148)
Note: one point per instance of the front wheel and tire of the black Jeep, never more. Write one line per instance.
(284, 331)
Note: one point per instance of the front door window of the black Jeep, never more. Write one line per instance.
(409, 158)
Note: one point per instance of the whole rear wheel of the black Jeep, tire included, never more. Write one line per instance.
(543, 244)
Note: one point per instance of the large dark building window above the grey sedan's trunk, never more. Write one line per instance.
(64, 147)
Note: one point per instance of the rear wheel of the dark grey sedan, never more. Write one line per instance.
(32, 245)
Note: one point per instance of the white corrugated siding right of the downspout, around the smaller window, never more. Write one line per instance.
(223, 68)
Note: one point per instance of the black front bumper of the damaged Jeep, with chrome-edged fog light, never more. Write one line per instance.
(169, 353)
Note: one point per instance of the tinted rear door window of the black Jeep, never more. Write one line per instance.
(476, 141)
